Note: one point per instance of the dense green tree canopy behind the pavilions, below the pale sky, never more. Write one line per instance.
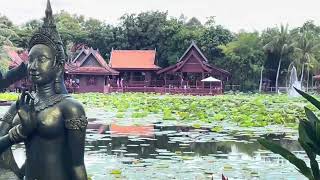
(243, 54)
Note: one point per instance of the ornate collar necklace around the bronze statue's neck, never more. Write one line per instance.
(43, 103)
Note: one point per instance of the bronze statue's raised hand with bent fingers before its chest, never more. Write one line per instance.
(26, 113)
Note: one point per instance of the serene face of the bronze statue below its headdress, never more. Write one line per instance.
(41, 64)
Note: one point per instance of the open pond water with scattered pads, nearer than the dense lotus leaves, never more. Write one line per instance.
(162, 151)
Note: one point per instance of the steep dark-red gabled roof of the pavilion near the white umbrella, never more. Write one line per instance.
(203, 62)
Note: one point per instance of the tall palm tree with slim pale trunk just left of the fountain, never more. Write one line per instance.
(282, 45)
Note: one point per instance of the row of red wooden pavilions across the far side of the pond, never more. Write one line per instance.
(136, 71)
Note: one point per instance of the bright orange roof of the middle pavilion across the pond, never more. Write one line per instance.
(133, 60)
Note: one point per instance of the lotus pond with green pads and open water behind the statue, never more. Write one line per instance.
(143, 136)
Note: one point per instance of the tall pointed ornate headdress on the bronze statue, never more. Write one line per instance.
(48, 35)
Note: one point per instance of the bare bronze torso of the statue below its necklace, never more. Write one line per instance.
(46, 156)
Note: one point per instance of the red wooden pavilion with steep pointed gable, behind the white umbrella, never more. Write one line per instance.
(190, 69)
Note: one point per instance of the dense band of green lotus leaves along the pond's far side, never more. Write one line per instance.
(247, 110)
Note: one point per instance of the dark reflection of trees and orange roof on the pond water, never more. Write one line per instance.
(146, 140)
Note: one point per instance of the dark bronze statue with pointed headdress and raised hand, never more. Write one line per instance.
(51, 124)
